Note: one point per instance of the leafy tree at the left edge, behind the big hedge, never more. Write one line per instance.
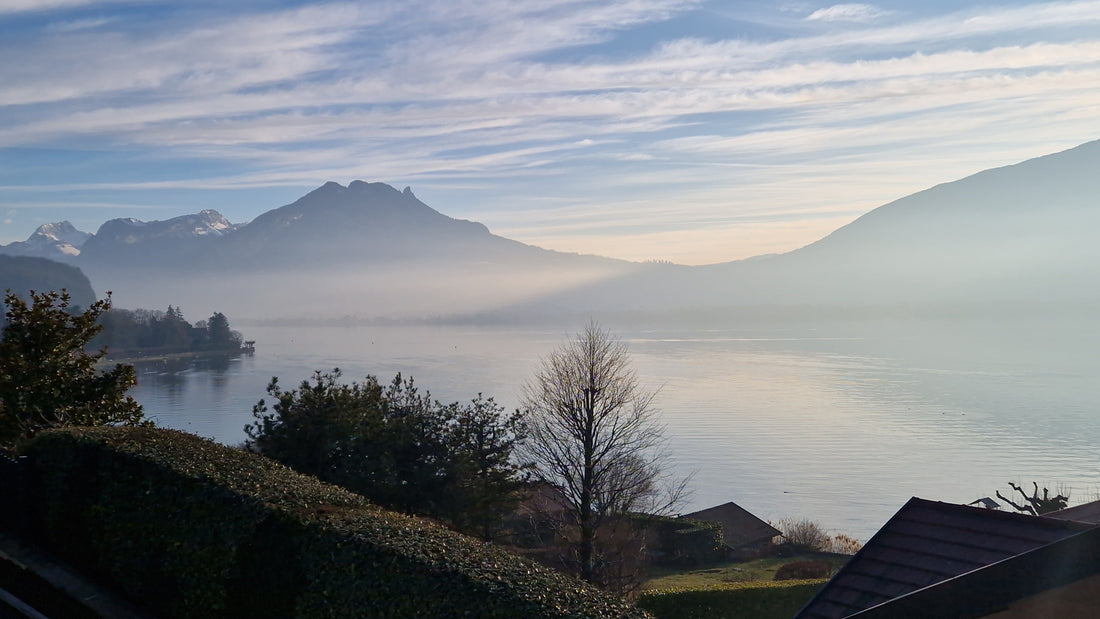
(49, 379)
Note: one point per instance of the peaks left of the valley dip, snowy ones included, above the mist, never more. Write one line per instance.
(331, 227)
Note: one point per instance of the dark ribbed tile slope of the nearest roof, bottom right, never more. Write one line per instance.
(929, 543)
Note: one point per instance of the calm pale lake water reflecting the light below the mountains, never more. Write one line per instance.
(841, 423)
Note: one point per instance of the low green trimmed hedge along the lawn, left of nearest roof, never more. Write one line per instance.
(760, 601)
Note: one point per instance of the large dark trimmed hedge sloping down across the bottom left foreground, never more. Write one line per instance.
(195, 529)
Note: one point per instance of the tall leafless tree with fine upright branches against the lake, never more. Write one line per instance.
(596, 437)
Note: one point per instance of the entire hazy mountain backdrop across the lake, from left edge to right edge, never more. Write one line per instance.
(1018, 237)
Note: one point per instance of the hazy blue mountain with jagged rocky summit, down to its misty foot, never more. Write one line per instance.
(367, 249)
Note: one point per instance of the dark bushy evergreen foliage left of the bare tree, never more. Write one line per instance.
(395, 446)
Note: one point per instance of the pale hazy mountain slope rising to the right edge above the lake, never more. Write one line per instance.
(1010, 240)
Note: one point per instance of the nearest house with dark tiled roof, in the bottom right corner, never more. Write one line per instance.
(943, 560)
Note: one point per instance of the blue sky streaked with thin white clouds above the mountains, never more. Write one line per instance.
(689, 131)
